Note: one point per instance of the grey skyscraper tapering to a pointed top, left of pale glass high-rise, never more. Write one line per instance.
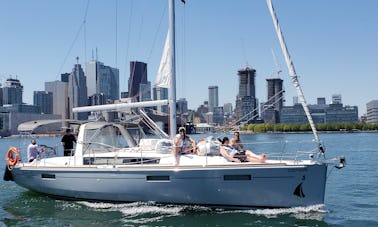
(77, 92)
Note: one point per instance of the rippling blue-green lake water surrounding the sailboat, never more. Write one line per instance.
(351, 195)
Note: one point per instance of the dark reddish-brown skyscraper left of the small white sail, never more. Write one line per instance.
(138, 75)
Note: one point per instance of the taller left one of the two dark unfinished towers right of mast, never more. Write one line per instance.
(246, 102)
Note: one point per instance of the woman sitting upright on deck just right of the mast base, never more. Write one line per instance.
(184, 144)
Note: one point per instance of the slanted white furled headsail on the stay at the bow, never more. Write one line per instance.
(292, 73)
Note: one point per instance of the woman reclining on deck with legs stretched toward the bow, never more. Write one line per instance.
(233, 155)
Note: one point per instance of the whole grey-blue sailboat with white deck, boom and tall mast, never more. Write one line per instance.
(114, 162)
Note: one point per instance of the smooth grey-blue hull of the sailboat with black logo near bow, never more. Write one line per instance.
(259, 185)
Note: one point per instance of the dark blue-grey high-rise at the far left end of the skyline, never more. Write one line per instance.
(12, 92)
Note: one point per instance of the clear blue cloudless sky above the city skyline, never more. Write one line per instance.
(334, 44)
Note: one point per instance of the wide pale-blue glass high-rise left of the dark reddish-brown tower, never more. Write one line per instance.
(102, 81)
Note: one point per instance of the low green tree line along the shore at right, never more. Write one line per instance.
(345, 126)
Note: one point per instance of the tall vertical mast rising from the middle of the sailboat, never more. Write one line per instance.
(172, 87)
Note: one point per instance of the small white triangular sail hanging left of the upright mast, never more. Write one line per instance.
(163, 77)
